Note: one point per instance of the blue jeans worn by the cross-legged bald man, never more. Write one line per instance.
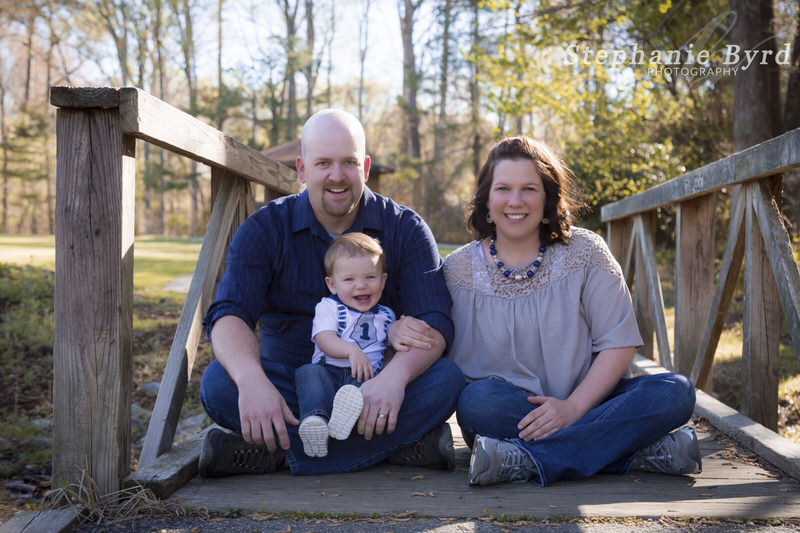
(429, 400)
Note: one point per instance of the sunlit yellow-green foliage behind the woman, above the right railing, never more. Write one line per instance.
(621, 127)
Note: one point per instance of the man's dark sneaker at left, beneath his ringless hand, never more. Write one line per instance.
(227, 454)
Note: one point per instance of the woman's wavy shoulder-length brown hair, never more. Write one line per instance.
(562, 199)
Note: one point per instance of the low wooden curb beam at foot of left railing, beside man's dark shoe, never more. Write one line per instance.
(172, 469)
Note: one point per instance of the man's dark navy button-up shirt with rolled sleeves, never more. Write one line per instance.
(275, 274)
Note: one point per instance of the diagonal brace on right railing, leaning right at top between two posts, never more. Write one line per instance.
(723, 294)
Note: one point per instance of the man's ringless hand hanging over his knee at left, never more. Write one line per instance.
(264, 414)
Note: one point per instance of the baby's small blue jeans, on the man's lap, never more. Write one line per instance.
(317, 384)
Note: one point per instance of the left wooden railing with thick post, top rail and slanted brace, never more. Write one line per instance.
(96, 132)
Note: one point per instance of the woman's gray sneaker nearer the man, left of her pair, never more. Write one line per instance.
(497, 461)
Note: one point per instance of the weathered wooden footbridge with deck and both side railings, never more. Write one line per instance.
(96, 131)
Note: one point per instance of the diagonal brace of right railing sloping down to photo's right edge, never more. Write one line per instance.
(781, 257)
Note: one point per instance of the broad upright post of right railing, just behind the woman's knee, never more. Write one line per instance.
(694, 275)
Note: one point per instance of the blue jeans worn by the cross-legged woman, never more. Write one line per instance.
(638, 412)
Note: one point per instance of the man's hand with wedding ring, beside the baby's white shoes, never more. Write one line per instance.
(383, 397)
